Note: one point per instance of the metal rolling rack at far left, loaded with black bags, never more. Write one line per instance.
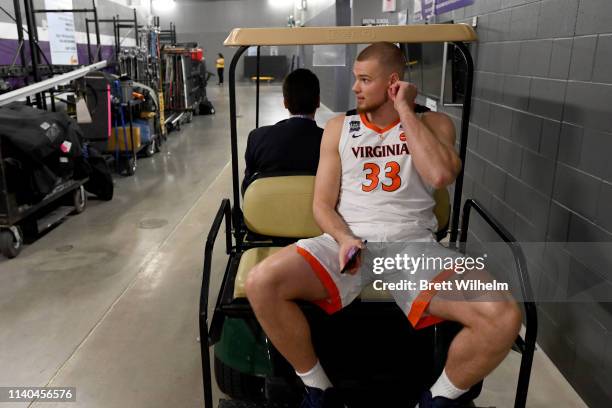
(38, 81)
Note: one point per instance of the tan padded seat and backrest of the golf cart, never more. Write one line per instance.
(281, 207)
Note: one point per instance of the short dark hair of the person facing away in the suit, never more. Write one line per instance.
(301, 92)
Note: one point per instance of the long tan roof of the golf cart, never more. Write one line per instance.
(420, 33)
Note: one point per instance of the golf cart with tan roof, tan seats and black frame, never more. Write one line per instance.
(369, 351)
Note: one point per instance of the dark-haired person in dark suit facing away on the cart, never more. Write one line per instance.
(291, 144)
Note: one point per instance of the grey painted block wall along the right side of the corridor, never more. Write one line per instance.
(538, 159)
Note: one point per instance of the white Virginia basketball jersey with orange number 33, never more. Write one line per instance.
(382, 196)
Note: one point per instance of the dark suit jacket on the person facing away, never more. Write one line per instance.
(290, 145)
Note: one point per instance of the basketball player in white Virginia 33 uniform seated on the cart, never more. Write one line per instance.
(378, 169)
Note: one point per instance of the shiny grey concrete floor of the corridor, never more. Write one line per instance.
(107, 301)
